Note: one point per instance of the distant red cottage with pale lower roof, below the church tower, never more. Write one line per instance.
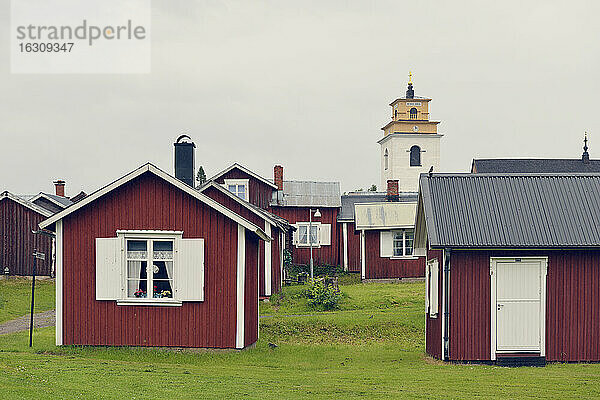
(377, 234)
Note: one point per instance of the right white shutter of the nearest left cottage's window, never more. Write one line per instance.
(189, 270)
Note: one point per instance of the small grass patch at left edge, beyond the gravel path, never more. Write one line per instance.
(15, 297)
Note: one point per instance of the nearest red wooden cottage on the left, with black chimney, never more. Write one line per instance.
(149, 261)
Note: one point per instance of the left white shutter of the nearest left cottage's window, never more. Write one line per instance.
(108, 269)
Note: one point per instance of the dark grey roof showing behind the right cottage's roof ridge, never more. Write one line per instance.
(534, 165)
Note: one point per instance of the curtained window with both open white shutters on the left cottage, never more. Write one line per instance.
(153, 267)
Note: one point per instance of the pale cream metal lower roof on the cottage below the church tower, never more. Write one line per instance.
(385, 215)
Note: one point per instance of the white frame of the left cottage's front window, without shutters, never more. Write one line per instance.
(149, 236)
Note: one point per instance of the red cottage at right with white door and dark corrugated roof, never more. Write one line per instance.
(513, 270)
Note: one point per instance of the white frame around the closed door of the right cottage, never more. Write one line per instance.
(493, 310)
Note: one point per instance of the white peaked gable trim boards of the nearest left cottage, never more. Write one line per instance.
(170, 179)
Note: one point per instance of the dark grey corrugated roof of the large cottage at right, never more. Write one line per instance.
(509, 210)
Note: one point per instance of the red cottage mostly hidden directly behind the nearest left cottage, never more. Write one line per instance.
(271, 253)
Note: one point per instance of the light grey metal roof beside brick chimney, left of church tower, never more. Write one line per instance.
(309, 194)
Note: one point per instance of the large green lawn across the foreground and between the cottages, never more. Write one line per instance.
(371, 348)
